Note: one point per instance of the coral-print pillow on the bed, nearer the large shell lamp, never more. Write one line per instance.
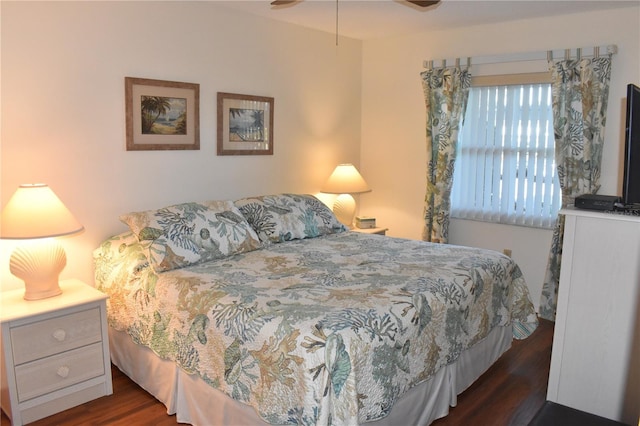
(190, 233)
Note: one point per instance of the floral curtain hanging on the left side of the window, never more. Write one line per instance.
(446, 91)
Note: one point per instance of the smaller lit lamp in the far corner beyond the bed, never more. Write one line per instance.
(345, 180)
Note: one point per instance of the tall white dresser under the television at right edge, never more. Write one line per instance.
(595, 361)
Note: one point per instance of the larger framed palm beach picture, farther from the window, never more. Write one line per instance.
(162, 114)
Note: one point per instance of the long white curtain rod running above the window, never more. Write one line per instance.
(548, 55)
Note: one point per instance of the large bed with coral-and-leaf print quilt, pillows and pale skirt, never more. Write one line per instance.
(266, 310)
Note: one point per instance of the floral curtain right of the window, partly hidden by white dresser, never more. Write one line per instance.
(580, 93)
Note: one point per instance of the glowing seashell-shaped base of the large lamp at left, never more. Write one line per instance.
(39, 263)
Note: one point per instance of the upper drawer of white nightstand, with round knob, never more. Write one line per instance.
(54, 335)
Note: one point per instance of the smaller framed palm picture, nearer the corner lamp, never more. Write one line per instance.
(245, 124)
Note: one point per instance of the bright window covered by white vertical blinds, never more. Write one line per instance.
(505, 170)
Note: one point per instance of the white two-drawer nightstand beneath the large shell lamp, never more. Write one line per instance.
(55, 351)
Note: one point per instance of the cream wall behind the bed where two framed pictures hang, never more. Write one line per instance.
(63, 109)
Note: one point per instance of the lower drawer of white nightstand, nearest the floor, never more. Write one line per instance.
(59, 371)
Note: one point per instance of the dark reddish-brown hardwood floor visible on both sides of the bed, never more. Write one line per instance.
(508, 394)
